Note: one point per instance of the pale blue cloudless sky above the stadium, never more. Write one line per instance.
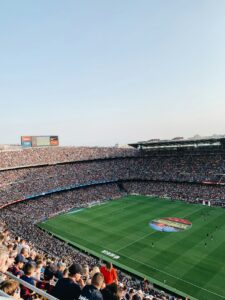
(100, 72)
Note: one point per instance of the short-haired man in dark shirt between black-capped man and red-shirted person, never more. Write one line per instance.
(92, 291)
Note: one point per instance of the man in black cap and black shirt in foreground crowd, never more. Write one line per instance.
(69, 288)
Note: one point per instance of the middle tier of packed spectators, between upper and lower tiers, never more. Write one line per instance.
(22, 183)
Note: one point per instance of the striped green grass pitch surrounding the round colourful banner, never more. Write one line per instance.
(178, 261)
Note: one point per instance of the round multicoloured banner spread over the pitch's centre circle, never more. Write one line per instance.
(170, 224)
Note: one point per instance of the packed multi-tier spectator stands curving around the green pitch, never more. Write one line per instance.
(76, 177)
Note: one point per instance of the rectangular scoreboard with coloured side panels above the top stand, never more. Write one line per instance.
(39, 141)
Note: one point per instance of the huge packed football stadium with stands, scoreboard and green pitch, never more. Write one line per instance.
(154, 210)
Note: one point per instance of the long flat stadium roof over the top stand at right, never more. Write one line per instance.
(179, 143)
